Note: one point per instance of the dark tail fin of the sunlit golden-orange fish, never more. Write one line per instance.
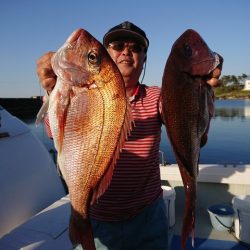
(80, 232)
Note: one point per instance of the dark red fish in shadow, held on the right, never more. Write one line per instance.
(188, 105)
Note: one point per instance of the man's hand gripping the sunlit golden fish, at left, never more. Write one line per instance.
(45, 72)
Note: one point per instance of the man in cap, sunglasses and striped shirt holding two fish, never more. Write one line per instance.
(131, 213)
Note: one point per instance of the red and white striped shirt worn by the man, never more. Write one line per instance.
(136, 180)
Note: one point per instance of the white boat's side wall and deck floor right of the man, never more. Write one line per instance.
(216, 185)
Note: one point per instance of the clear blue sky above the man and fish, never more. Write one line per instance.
(29, 28)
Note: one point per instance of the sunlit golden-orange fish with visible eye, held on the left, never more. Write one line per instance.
(90, 118)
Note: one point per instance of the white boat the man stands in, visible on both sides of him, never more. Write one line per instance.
(34, 210)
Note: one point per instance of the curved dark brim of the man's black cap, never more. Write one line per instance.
(121, 34)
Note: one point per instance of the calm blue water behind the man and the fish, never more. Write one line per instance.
(229, 135)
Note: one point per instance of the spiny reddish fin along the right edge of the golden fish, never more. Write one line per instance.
(106, 179)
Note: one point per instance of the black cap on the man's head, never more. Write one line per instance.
(126, 30)
